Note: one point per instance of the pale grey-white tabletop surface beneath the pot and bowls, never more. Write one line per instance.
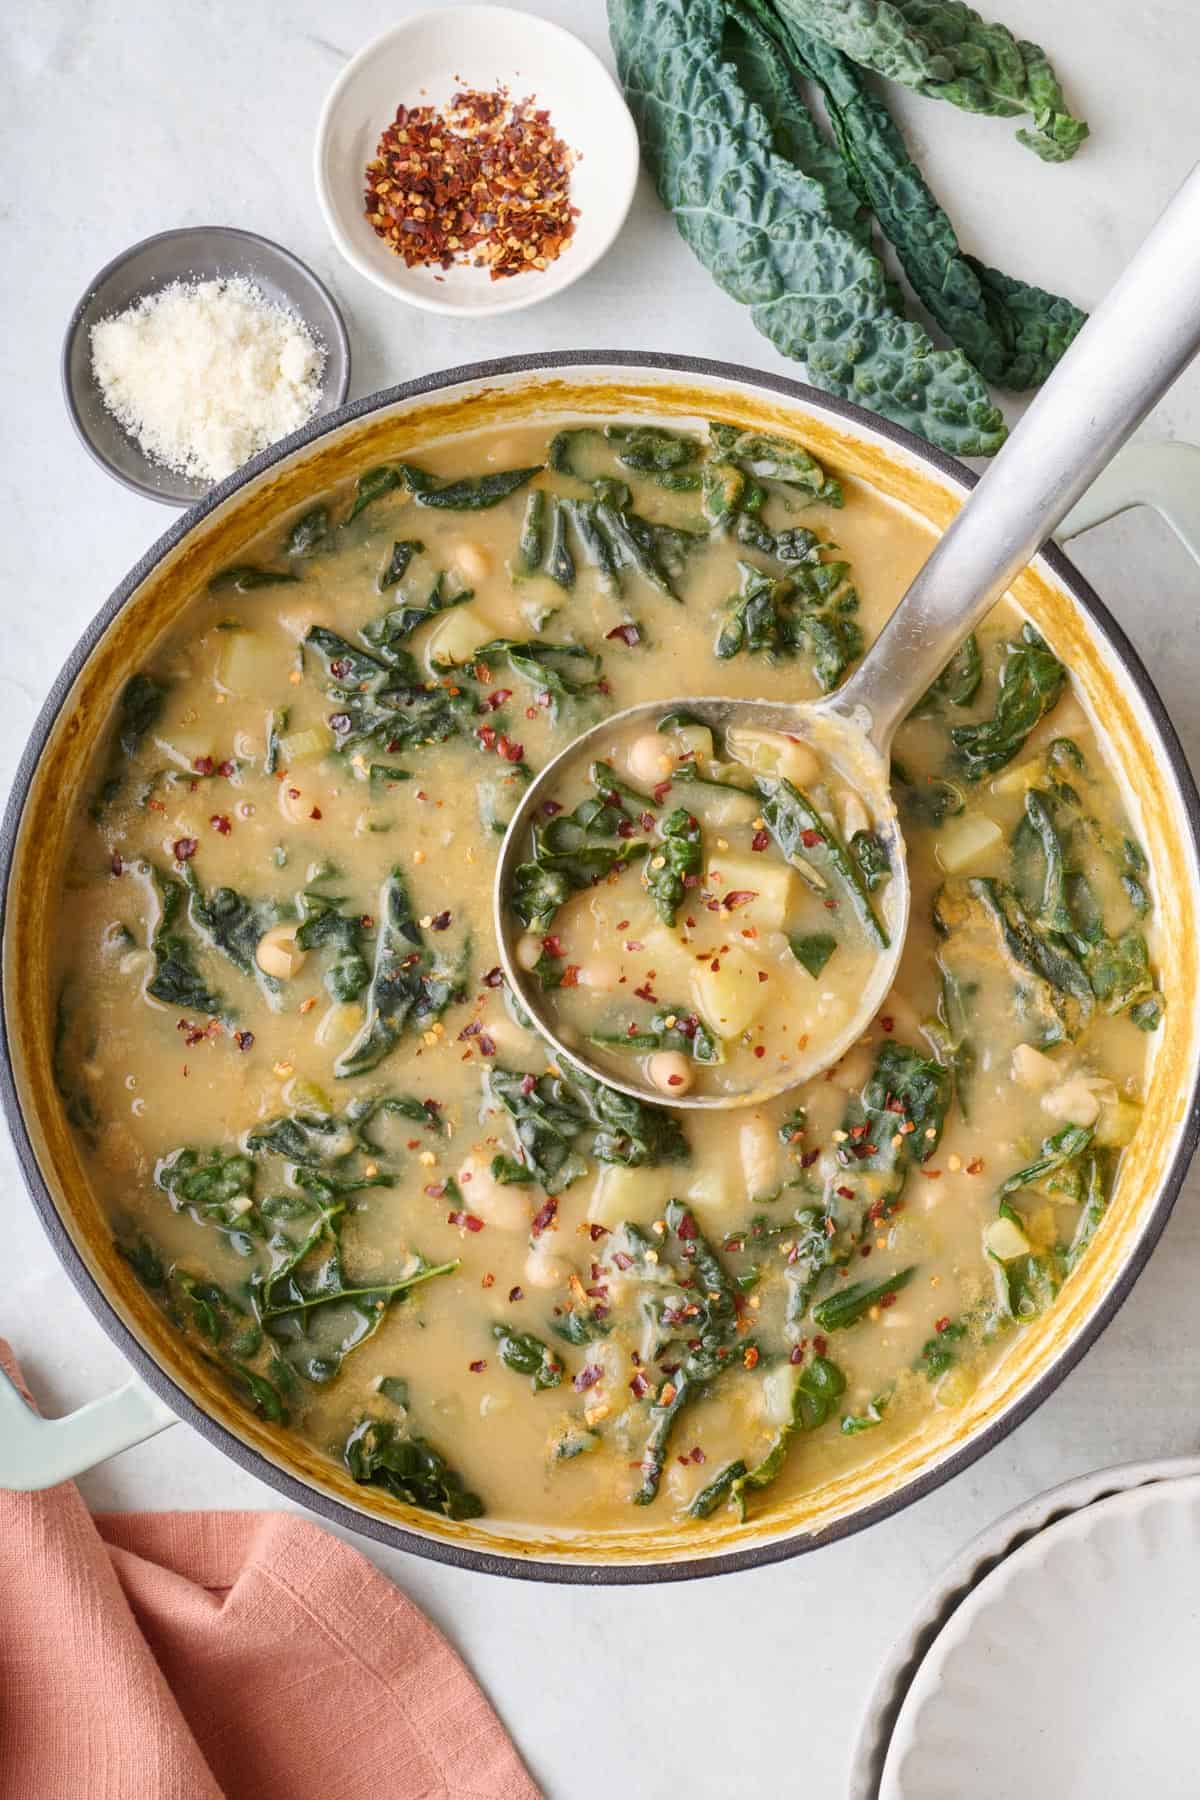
(125, 120)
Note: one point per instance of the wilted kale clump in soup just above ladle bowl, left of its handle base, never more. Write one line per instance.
(803, 613)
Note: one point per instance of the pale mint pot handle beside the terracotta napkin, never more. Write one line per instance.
(39, 1453)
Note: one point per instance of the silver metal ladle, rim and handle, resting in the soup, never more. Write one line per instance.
(1124, 361)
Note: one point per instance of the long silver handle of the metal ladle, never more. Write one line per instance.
(1136, 345)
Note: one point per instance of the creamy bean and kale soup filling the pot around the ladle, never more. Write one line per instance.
(339, 1158)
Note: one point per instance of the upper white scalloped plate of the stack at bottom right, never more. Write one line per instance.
(1071, 1669)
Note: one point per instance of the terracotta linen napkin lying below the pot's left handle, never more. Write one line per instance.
(224, 1657)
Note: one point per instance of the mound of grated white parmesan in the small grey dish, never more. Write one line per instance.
(208, 373)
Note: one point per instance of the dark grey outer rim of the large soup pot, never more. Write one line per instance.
(372, 1525)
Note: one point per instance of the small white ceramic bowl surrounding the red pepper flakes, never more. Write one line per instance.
(425, 62)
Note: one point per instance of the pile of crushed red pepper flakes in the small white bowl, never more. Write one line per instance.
(485, 181)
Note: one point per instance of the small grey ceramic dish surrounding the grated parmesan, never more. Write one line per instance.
(195, 253)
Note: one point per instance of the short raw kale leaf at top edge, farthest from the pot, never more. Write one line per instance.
(947, 51)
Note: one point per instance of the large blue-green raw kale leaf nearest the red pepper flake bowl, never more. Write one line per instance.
(771, 237)
